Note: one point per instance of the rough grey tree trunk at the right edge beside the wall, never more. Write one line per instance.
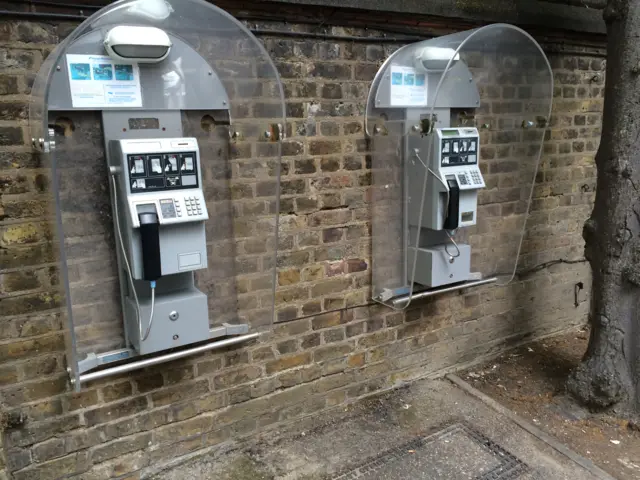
(610, 371)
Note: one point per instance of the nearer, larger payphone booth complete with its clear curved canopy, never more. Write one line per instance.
(159, 257)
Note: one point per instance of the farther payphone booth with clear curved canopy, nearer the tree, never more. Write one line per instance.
(455, 127)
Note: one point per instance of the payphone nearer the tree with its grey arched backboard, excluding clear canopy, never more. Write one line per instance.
(442, 174)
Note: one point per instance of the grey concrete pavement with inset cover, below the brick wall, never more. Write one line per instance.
(431, 429)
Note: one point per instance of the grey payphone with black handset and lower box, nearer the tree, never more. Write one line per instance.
(451, 203)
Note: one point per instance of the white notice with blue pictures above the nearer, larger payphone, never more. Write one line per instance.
(98, 81)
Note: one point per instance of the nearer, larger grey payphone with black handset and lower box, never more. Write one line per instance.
(159, 215)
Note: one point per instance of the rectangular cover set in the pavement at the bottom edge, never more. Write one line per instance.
(457, 452)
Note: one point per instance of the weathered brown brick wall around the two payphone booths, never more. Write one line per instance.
(325, 349)
